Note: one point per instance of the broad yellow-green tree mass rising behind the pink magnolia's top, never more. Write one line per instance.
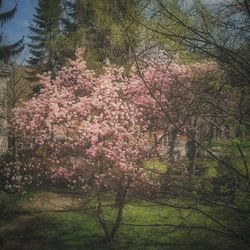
(99, 27)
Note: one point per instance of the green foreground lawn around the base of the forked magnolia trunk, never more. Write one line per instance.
(75, 230)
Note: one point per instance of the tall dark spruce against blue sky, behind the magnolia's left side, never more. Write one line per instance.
(45, 29)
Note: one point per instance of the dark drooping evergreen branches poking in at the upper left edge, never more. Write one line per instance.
(8, 50)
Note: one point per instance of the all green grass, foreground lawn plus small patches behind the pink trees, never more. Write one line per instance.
(168, 226)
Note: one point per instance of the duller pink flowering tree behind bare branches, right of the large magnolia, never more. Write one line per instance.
(179, 100)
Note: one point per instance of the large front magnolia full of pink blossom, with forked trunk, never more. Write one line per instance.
(85, 132)
